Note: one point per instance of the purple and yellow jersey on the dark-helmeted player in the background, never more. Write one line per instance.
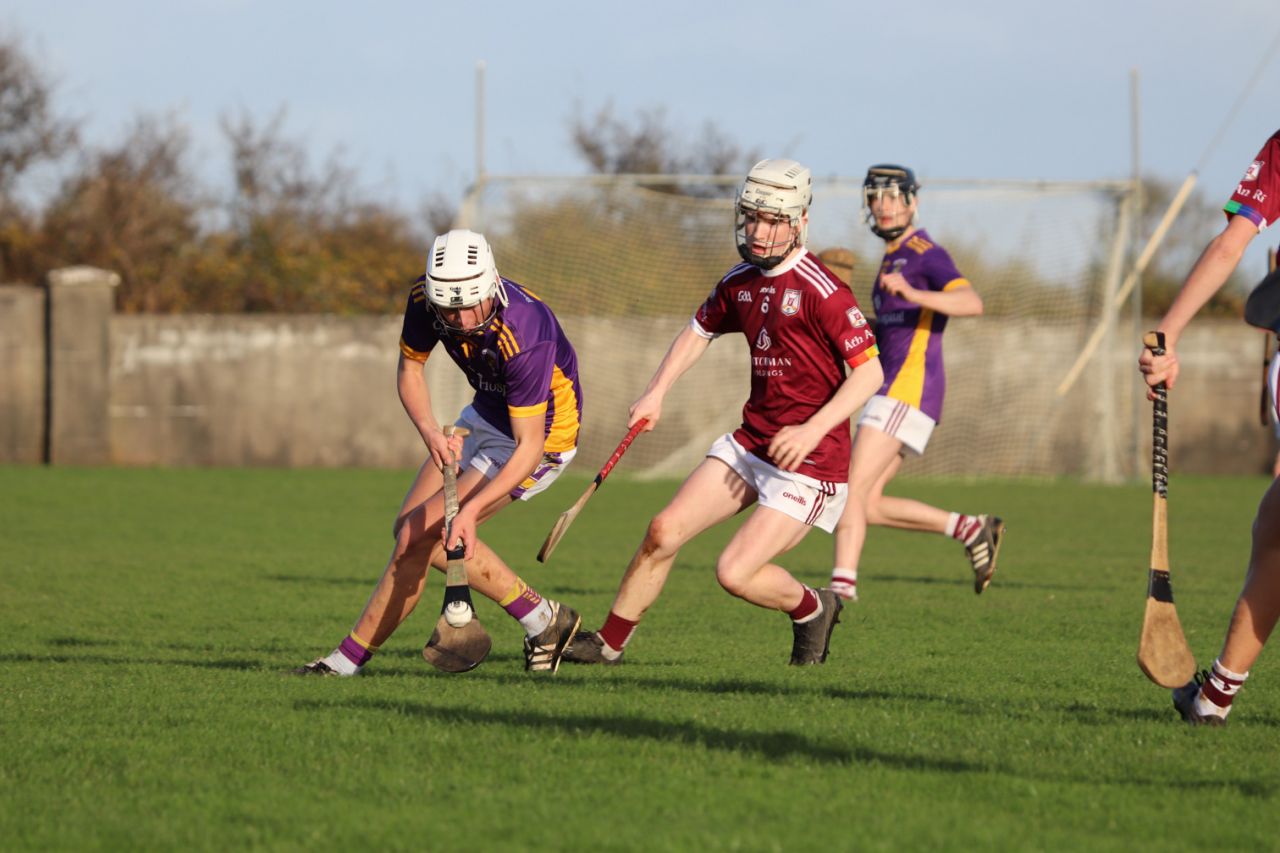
(909, 336)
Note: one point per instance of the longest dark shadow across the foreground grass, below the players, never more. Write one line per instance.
(775, 746)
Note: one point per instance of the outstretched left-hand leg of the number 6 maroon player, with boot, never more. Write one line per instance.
(711, 495)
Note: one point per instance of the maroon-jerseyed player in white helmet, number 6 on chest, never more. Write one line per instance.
(790, 457)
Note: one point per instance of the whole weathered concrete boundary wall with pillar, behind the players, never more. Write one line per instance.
(300, 391)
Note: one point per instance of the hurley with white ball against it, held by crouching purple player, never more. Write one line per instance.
(459, 642)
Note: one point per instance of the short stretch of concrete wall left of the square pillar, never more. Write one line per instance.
(22, 375)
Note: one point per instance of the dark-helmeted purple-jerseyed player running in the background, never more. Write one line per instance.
(917, 290)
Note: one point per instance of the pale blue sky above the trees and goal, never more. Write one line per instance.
(984, 89)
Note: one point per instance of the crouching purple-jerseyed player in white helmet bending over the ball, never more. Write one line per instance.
(524, 425)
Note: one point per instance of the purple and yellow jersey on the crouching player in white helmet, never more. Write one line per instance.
(522, 367)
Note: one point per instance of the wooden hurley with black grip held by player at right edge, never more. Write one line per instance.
(1163, 653)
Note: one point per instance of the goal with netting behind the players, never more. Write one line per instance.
(625, 261)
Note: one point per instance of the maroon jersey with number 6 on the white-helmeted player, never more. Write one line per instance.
(803, 326)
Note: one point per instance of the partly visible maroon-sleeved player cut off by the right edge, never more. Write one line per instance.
(1254, 207)
